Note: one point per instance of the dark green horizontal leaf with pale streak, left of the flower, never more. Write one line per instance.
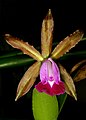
(15, 61)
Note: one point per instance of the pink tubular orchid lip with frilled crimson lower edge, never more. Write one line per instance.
(50, 79)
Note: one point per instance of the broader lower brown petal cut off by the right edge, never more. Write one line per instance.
(81, 74)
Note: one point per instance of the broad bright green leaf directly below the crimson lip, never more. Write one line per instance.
(44, 107)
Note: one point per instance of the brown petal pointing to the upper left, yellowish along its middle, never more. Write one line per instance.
(24, 46)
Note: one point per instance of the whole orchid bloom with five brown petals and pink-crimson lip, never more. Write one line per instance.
(49, 71)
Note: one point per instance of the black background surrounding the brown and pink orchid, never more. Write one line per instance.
(23, 19)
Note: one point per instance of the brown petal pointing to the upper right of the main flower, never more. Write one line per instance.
(65, 45)
